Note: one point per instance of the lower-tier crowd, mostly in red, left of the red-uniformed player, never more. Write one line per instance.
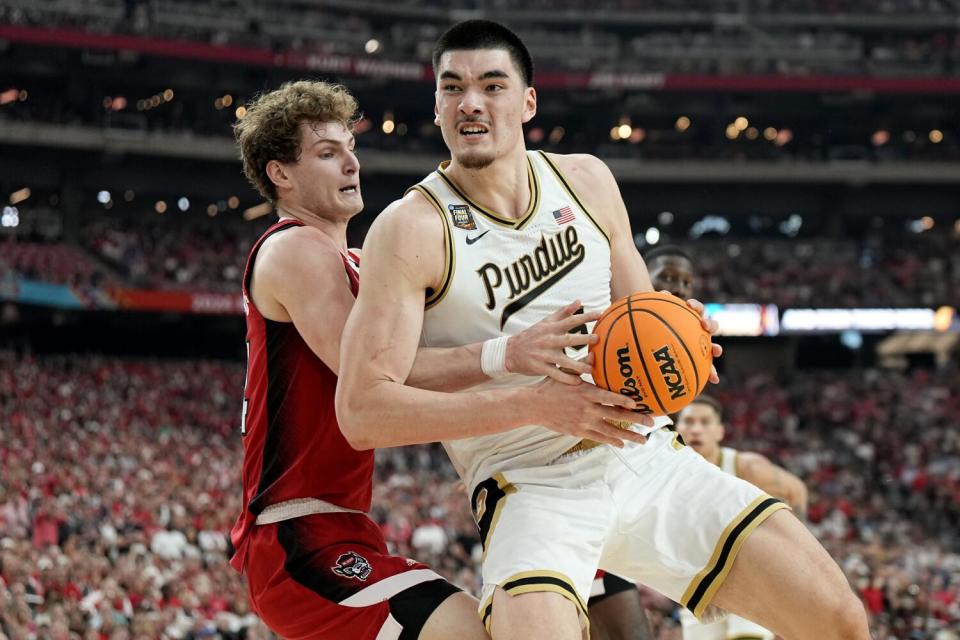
(120, 485)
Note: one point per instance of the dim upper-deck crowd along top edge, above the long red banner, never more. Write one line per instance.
(329, 30)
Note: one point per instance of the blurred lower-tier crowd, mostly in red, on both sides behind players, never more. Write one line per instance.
(121, 482)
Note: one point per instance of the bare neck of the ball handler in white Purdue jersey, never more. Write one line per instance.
(502, 186)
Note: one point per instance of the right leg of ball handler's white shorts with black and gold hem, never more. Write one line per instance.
(682, 521)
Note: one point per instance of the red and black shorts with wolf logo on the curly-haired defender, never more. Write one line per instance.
(330, 576)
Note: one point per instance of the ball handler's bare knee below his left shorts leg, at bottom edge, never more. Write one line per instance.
(535, 615)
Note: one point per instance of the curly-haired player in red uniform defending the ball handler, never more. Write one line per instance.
(317, 566)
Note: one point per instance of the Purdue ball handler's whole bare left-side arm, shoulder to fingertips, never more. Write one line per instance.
(403, 257)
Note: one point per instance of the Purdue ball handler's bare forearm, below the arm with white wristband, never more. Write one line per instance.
(390, 414)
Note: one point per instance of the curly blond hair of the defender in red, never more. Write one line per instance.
(270, 129)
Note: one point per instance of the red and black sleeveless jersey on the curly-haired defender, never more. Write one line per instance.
(292, 444)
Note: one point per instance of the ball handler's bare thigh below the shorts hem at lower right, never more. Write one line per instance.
(784, 580)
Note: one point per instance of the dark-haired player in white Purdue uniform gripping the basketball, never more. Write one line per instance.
(484, 247)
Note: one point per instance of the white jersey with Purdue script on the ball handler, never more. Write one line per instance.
(503, 275)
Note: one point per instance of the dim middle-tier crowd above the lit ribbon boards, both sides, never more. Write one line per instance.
(208, 256)
